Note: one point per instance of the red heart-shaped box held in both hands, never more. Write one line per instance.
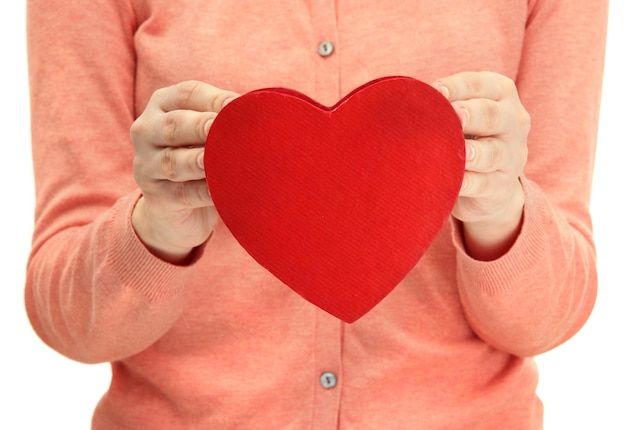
(340, 202)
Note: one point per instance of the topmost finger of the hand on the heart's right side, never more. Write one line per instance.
(469, 85)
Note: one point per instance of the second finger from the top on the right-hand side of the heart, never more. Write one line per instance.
(482, 117)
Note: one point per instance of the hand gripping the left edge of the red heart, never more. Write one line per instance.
(175, 213)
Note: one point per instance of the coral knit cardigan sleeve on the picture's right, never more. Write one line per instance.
(543, 290)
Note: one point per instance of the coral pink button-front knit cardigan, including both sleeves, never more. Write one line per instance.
(221, 343)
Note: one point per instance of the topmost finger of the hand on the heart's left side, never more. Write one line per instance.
(193, 95)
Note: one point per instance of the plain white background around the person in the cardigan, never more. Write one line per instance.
(582, 383)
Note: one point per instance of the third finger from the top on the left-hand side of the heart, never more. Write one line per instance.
(178, 165)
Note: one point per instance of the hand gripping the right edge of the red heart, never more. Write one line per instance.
(496, 126)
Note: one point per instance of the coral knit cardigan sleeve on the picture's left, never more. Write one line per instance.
(93, 292)
